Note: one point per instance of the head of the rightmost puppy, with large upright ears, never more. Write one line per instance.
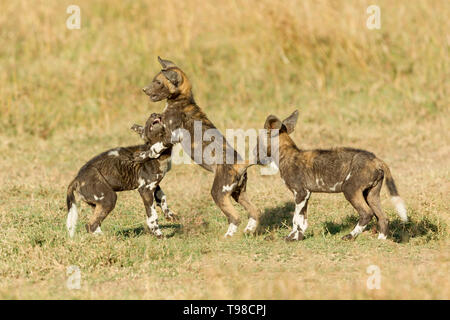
(273, 127)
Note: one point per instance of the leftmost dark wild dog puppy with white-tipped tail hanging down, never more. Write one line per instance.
(115, 170)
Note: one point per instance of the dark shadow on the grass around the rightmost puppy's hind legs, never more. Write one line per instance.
(399, 232)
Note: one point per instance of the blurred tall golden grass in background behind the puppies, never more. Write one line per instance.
(245, 58)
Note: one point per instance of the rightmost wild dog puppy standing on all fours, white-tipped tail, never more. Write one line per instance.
(356, 173)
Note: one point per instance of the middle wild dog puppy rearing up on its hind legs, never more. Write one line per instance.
(181, 112)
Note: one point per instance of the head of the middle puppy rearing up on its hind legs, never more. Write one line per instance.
(169, 83)
